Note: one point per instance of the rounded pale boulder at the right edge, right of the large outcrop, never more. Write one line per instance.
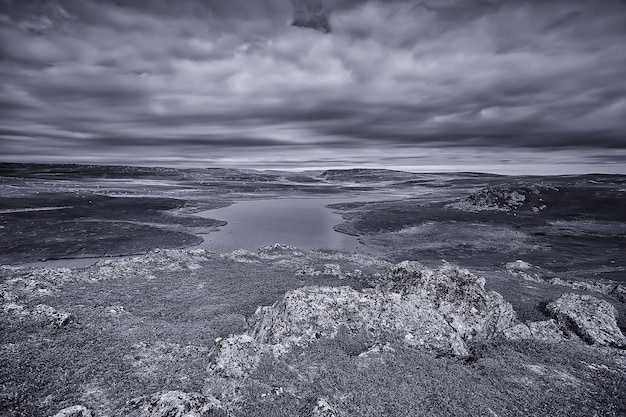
(592, 319)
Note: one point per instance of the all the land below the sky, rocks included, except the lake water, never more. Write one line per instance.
(524, 317)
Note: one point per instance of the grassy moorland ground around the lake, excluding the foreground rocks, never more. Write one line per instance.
(146, 325)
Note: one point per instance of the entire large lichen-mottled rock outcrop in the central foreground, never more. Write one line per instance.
(439, 311)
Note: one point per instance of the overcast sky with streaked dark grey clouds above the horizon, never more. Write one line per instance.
(507, 86)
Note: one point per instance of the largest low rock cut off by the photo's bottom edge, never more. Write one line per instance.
(173, 404)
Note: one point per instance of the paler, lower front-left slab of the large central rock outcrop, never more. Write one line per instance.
(311, 313)
